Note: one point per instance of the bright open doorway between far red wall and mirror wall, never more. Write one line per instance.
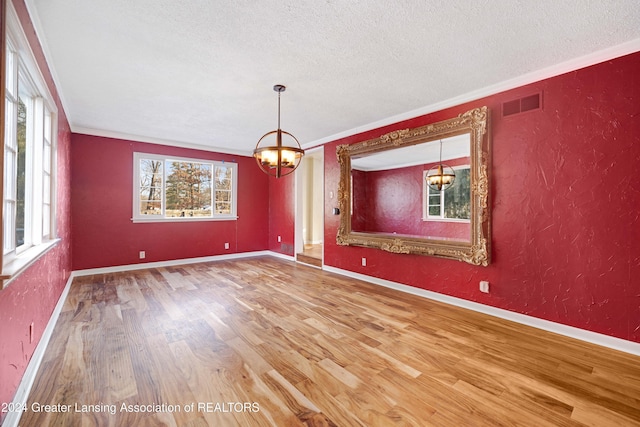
(310, 208)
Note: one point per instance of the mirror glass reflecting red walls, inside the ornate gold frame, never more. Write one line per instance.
(390, 192)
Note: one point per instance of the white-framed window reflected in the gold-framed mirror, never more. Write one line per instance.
(451, 204)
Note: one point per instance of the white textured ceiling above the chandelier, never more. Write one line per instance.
(200, 73)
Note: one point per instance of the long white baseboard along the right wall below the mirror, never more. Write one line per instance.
(558, 328)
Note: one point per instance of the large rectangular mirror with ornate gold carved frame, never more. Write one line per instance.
(385, 201)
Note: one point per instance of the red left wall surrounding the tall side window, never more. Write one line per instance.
(33, 295)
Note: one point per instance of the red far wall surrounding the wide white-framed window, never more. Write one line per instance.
(103, 233)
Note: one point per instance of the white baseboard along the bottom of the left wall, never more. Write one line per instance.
(24, 388)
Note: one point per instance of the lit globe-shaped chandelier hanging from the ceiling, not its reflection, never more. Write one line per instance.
(278, 160)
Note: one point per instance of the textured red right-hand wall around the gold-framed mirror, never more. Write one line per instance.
(565, 202)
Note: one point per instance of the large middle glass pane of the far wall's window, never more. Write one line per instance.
(188, 192)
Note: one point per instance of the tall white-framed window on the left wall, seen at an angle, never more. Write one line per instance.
(29, 155)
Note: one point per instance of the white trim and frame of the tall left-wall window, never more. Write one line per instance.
(18, 260)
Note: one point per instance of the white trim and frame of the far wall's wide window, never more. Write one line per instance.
(138, 218)
